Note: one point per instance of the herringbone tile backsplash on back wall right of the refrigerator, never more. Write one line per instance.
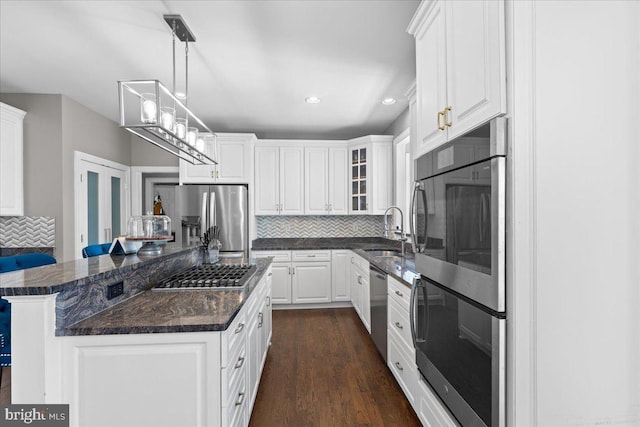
(320, 226)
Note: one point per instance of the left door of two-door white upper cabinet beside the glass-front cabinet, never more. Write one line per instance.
(316, 170)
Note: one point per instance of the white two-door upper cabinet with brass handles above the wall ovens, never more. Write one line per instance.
(460, 68)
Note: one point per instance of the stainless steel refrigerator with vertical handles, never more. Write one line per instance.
(201, 207)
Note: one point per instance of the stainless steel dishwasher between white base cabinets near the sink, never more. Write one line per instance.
(378, 299)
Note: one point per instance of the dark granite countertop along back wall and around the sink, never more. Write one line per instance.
(402, 269)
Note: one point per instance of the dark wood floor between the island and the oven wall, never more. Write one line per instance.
(324, 370)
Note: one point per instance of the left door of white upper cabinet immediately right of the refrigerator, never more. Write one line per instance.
(267, 181)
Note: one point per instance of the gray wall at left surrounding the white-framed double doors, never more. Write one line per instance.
(54, 127)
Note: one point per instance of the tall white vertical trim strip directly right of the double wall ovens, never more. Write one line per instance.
(522, 387)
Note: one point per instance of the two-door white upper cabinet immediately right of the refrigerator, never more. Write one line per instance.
(279, 178)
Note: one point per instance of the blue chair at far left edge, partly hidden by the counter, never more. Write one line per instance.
(13, 263)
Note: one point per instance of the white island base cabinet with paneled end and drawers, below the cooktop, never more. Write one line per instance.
(169, 379)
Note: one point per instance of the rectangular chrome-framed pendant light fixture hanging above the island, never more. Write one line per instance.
(154, 113)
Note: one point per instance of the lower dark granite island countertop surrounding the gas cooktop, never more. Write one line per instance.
(172, 311)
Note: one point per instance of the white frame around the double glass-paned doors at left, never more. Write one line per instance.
(78, 157)
